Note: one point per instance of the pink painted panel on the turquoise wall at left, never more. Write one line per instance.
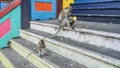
(5, 27)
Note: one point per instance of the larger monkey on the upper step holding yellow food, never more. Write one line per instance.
(65, 20)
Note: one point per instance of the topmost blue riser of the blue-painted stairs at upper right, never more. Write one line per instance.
(97, 5)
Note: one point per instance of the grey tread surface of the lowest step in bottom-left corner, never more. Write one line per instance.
(17, 60)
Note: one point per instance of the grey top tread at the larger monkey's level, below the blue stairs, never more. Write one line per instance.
(113, 28)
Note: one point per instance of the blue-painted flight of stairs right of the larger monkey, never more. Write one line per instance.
(102, 12)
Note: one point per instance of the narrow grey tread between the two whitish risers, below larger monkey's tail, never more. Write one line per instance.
(101, 50)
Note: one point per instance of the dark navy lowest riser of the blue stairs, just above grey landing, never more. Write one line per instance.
(99, 19)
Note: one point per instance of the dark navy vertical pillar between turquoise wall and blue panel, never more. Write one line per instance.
(25, 14)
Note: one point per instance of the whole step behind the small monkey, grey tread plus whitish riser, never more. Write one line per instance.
(88, 55)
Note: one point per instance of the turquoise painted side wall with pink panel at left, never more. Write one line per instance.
(9, 26)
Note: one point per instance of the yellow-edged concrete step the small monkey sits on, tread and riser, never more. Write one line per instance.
(52, 60)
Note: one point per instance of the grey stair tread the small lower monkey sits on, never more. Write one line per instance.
(59, 60)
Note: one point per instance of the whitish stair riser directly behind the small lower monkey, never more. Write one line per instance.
(72, 53)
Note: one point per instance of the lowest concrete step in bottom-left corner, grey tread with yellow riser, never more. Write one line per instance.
(12, 59)
